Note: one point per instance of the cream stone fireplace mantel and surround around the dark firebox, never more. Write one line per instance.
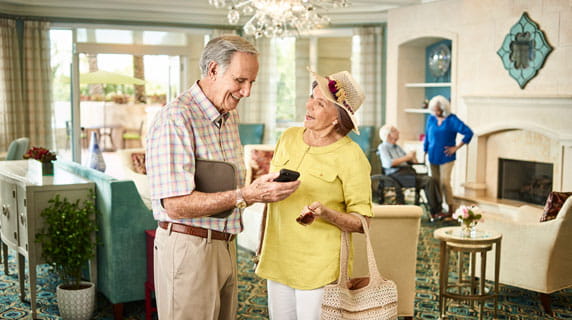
(492, 117)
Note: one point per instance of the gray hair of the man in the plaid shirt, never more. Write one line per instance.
(221, 49)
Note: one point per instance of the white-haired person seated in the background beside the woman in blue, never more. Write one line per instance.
(396, 163)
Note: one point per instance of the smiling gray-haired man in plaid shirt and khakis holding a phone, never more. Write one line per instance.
(194, 252)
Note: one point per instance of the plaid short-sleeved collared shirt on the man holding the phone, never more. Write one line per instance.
(191, 127)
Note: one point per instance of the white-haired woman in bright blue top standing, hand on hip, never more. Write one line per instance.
(440, 143)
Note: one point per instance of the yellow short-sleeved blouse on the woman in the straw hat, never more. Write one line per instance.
(337, 175)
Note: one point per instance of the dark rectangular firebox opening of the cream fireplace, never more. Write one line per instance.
(526, 181)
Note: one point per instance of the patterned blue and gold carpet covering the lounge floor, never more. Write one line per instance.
(515, 303)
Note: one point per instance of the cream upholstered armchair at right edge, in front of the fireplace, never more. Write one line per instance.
(535, 255)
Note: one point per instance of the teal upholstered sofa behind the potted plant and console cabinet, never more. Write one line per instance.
(122, 220)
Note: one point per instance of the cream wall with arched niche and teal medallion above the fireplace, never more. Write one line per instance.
(477, 29)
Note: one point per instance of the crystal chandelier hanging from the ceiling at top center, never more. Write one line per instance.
(278, 18)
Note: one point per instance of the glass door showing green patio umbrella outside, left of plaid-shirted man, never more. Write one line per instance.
(120, 93)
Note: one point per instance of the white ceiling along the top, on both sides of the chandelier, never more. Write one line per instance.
(180, 12)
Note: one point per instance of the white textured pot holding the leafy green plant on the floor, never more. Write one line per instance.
(76, 304)
